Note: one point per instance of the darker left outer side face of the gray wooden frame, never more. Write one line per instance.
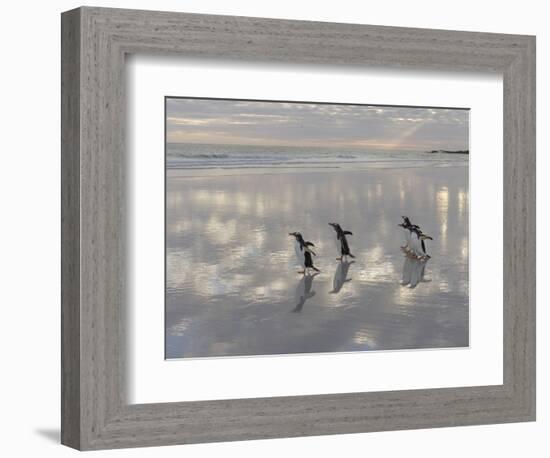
(70, 229)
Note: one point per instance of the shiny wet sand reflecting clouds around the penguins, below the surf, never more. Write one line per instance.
(232, 279)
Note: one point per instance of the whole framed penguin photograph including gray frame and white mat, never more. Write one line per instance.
(279, 228)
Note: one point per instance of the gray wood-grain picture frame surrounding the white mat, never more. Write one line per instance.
(95, 412)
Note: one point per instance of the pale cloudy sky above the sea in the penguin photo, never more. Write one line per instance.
(310, 124)
